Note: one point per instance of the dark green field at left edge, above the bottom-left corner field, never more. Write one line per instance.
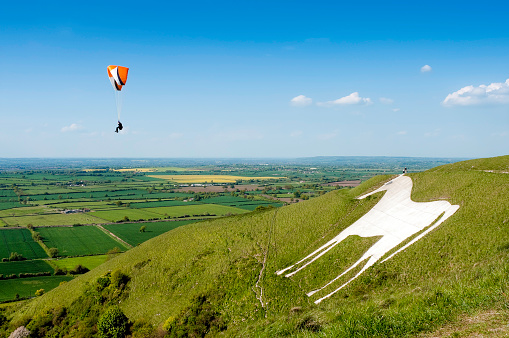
(20, 241)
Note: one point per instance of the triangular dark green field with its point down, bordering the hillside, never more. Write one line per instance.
(130, 232)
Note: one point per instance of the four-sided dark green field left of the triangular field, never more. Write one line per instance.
(80, 240)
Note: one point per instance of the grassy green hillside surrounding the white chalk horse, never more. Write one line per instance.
(218, 276)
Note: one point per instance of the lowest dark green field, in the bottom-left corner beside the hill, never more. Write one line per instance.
(26, 287)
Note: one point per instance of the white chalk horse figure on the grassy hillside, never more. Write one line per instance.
(395, 218)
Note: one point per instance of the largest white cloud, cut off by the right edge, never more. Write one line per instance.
(494, 93)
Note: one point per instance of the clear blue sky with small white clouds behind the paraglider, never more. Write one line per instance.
(255, 79)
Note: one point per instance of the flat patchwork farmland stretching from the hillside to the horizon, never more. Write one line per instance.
(60, 220)
